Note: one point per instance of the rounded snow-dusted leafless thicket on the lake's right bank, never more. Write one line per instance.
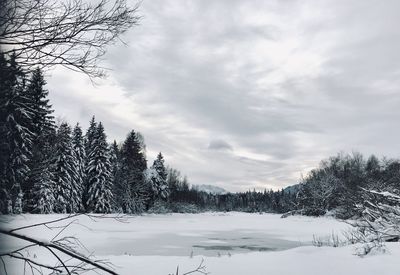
(342, 184)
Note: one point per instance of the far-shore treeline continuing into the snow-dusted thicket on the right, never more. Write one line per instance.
(344, 186)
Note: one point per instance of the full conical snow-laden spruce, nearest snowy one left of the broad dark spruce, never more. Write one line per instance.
(99, 197)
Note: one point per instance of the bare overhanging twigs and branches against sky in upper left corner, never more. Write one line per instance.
(71, 33)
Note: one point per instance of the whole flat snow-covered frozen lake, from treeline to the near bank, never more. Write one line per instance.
(207, 234)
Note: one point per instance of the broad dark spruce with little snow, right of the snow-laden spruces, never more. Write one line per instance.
(131, 190)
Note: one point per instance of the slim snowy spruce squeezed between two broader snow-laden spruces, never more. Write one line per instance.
(80, 155)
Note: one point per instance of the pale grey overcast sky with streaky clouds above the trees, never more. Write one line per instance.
(249, 94)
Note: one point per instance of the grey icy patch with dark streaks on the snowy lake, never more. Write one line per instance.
(202, 243)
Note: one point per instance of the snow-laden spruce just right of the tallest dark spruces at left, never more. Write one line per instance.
(66, 193)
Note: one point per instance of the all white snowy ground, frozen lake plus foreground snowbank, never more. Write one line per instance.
(229, 243)
